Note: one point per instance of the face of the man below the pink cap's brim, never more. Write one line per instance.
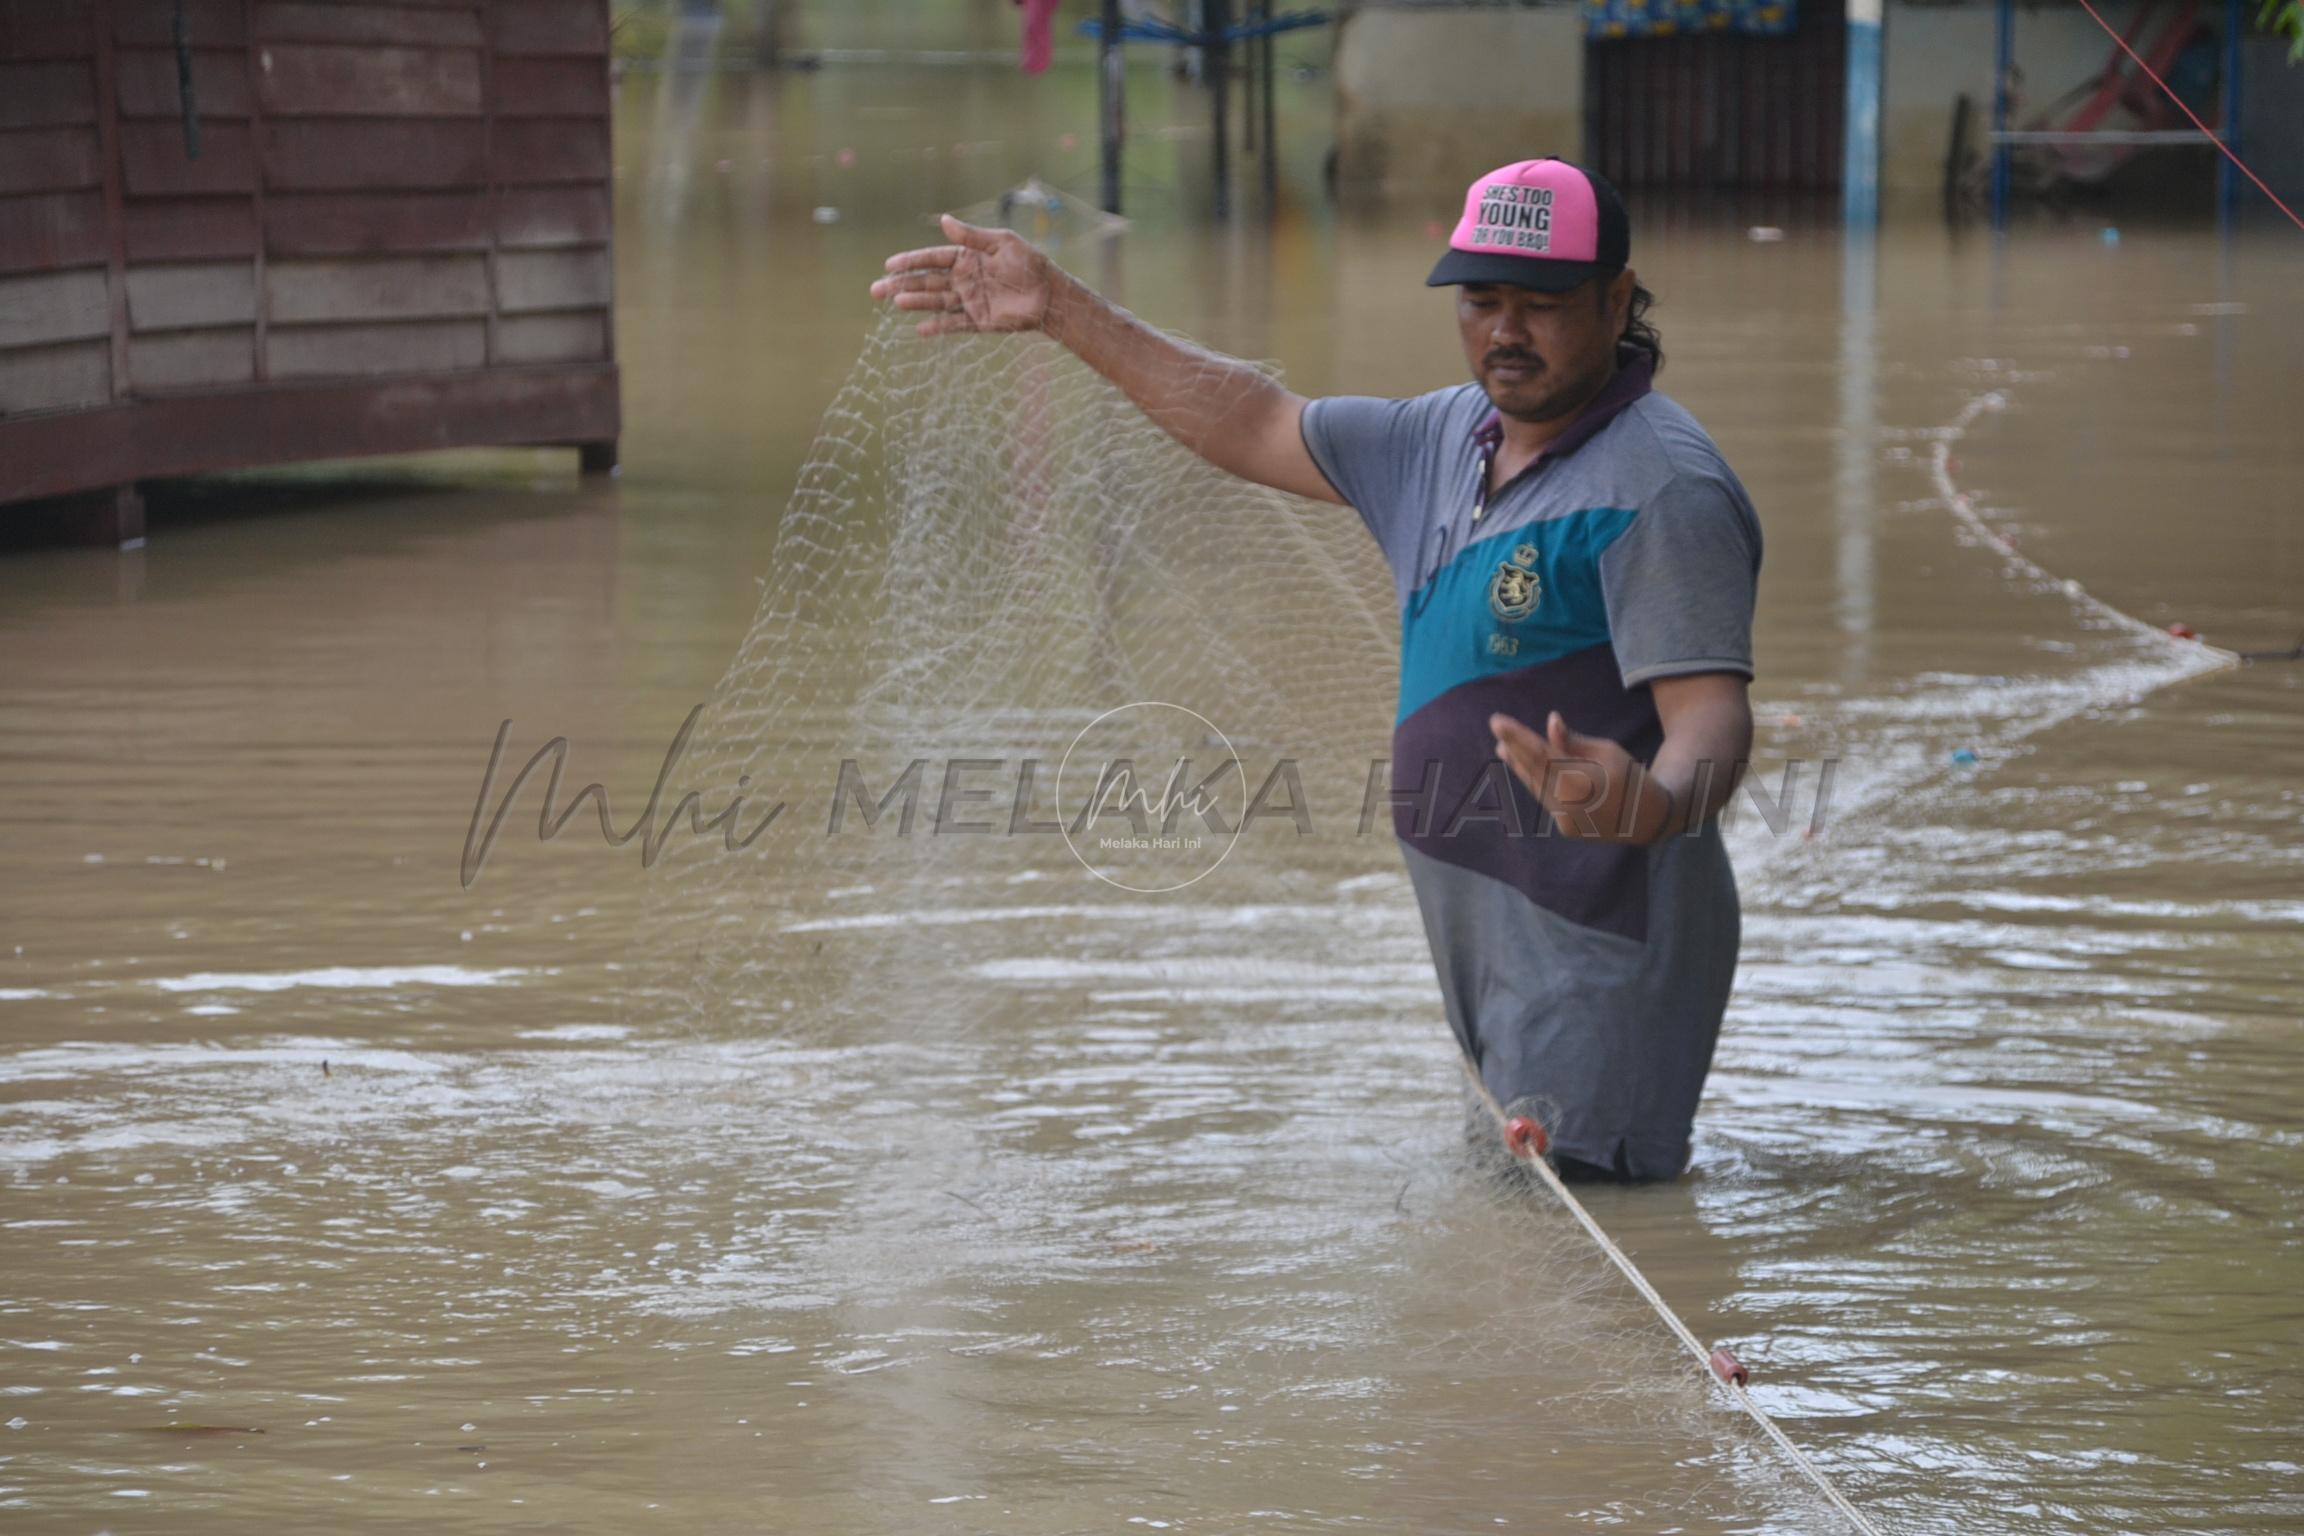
(1543, 356)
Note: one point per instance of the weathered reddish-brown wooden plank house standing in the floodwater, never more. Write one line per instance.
(259, 231)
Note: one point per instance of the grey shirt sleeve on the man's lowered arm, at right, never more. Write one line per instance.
(1681, 581)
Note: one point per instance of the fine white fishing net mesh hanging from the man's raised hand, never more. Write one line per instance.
(996, 588)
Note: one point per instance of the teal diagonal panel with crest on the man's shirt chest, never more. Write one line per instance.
(1508, 602)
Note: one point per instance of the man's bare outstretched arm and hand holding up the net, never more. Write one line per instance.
(1222, 409)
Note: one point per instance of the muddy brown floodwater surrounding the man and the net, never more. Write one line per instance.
(340, 1196)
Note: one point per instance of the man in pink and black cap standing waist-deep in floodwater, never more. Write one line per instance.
(1570, 549)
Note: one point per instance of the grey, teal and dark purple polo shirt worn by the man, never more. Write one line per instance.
(1584, 980)
